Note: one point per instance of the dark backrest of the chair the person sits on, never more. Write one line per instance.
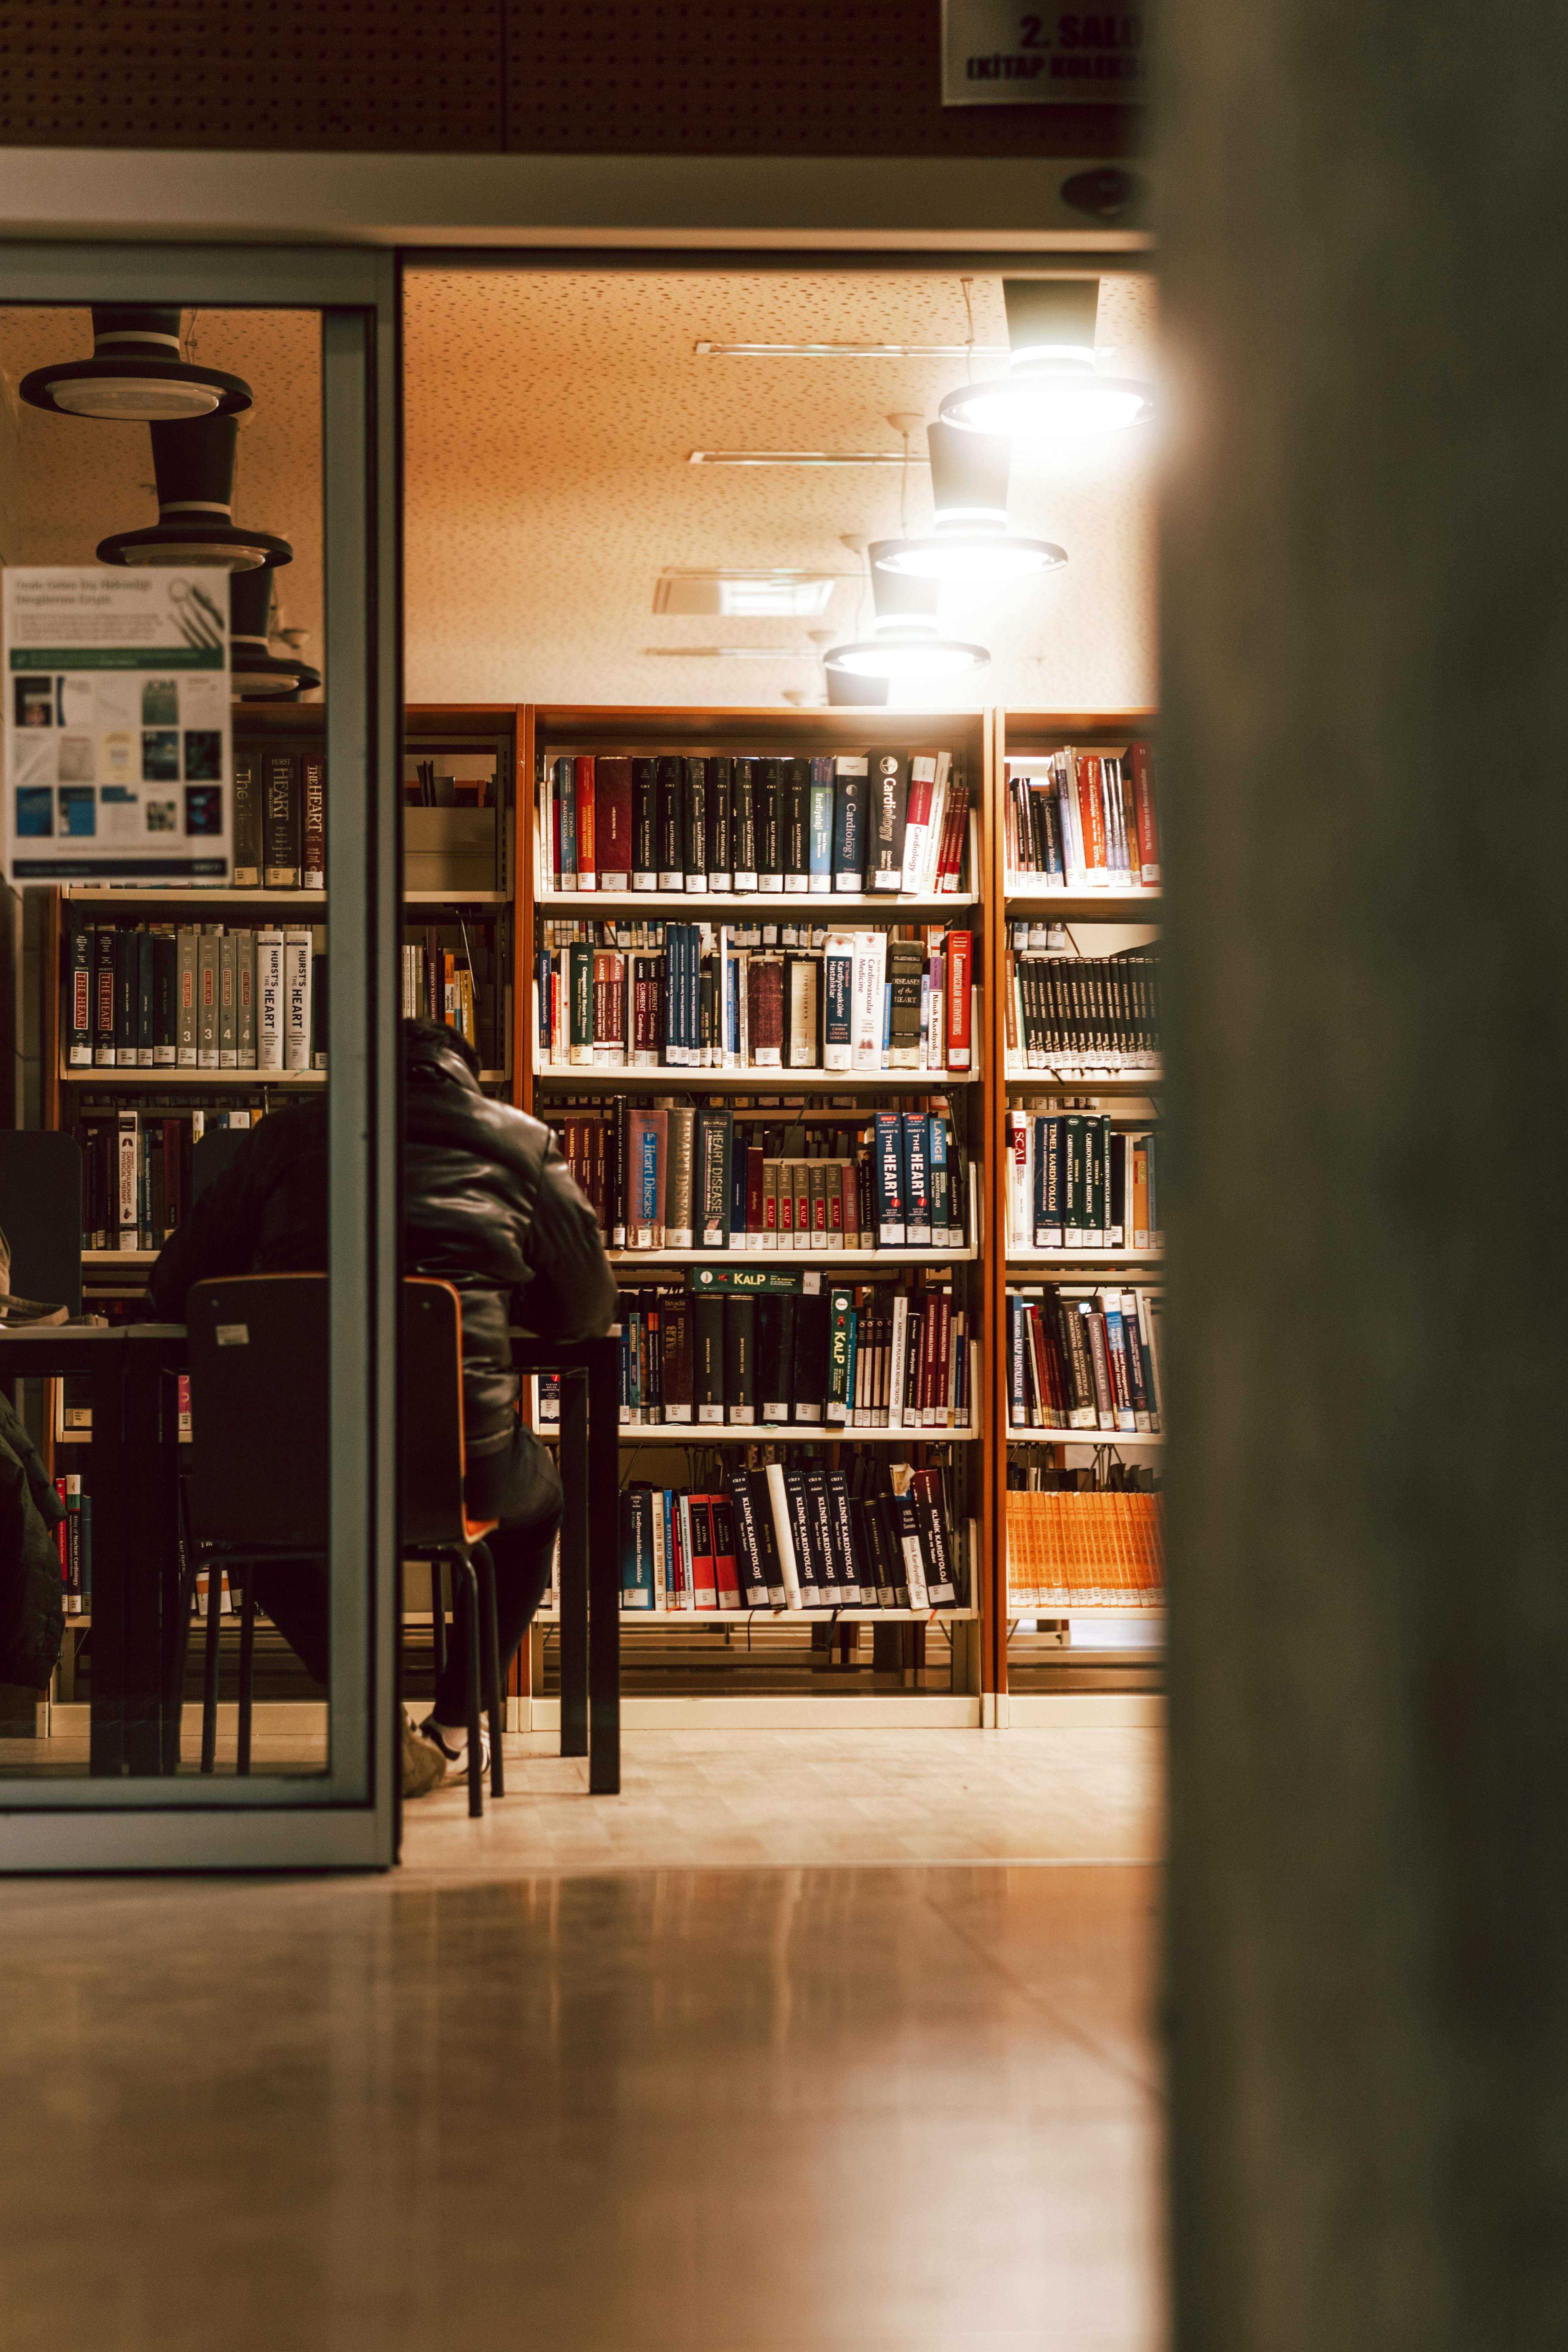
(260, 1405)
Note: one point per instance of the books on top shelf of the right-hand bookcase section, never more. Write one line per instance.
(1083, 820)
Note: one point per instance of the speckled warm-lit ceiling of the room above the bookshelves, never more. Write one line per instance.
(551, 422)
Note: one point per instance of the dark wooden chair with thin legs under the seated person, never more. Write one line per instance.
(260, 1466)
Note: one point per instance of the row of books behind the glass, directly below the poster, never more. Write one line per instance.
(156, 996)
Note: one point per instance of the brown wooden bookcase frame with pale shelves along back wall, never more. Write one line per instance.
(942, 1666)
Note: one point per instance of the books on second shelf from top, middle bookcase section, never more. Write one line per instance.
(716, 998)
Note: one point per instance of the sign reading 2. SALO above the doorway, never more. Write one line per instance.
(1000, 55)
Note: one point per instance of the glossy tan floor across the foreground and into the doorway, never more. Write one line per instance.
(756, 2109)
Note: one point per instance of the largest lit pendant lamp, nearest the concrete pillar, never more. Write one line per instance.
(1052, 392)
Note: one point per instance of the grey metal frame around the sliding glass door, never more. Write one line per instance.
(347, 1817)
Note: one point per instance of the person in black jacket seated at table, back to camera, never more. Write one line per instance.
(488, 1208)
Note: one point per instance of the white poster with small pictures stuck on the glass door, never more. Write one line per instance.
(116, 726)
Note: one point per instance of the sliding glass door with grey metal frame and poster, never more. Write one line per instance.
(199, 528)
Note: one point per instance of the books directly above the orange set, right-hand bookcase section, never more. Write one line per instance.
(1085, 1361)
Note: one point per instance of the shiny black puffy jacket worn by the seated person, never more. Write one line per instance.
(488, 1208)
